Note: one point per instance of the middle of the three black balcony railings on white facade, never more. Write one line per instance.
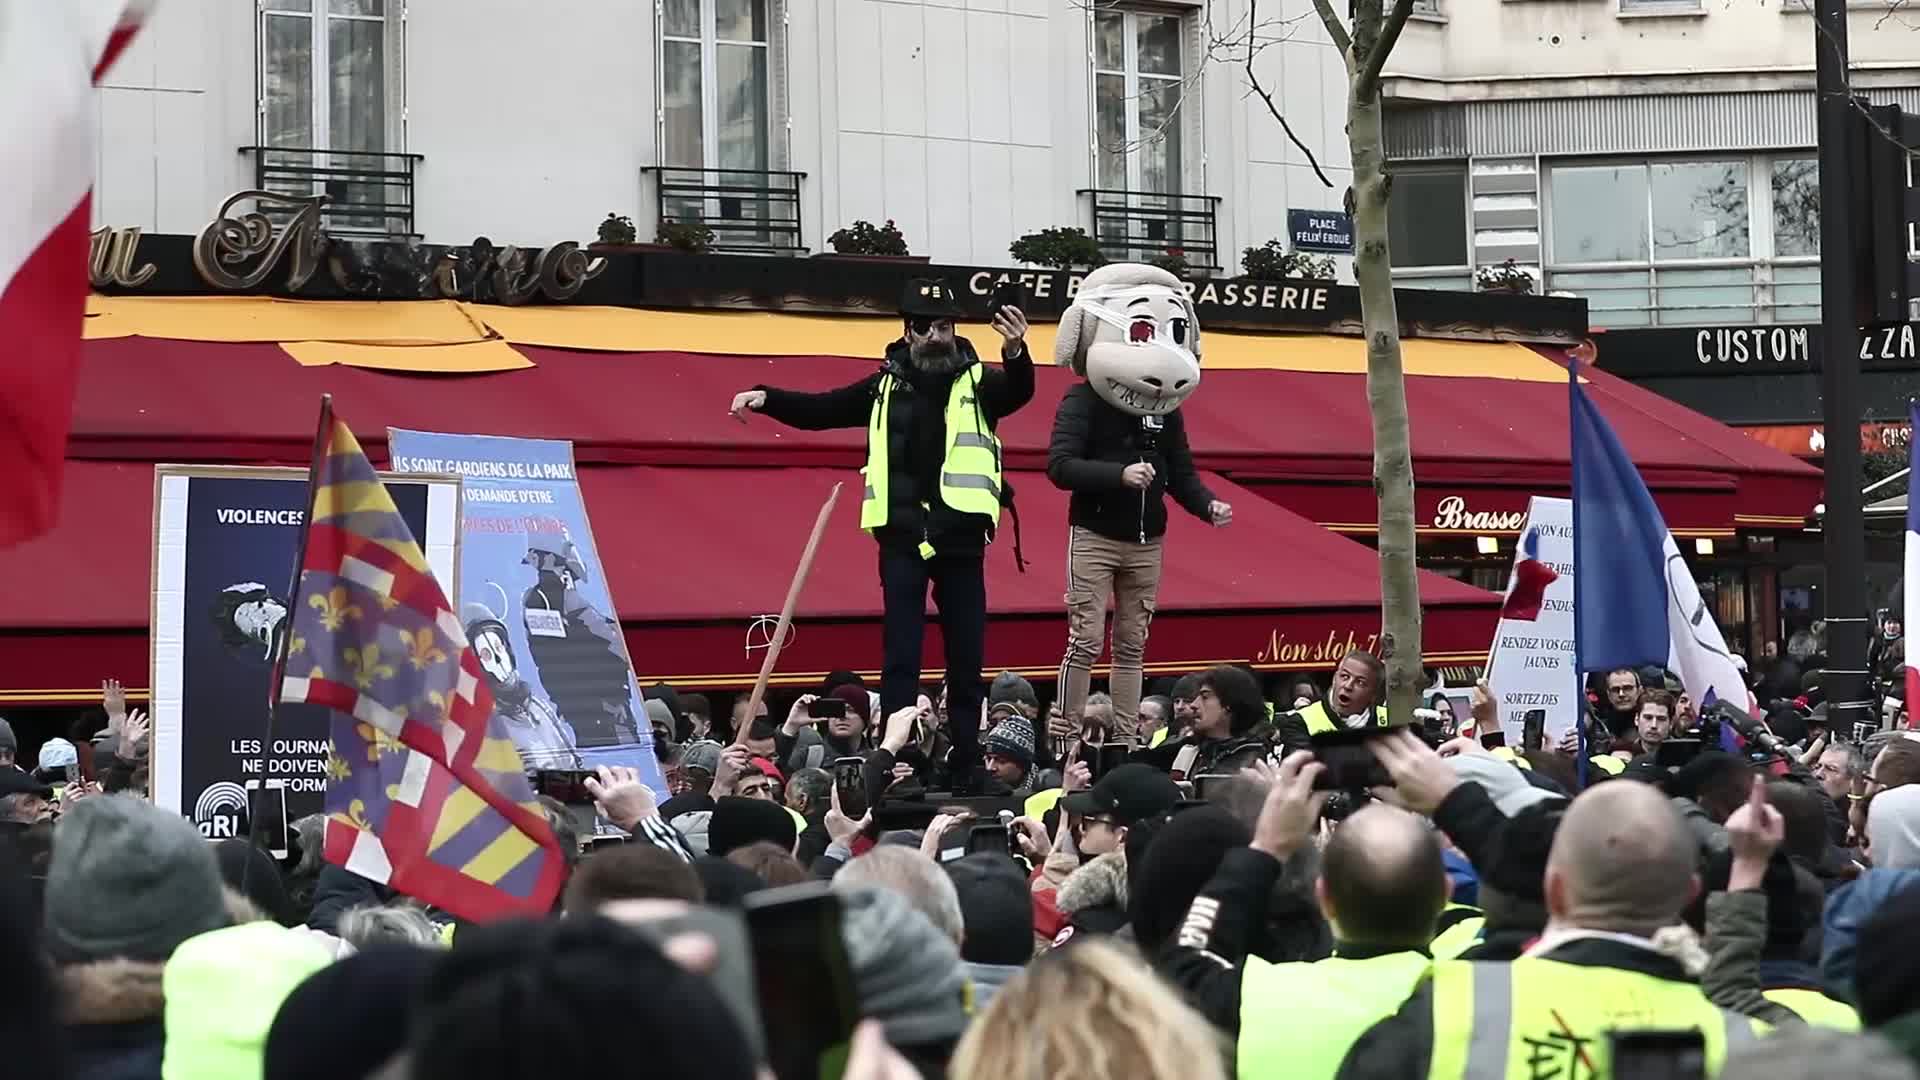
(750, 210)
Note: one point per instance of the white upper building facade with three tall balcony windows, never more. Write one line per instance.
(775, 122)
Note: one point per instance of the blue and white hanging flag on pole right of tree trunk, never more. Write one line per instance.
(1639, 602)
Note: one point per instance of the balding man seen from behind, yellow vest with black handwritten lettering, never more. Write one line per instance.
(1621, 870)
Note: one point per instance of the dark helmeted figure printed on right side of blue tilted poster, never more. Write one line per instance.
(577, 649)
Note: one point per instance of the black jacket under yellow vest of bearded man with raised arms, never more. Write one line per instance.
(917, 439)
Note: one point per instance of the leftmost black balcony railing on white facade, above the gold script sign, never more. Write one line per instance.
(368, 193)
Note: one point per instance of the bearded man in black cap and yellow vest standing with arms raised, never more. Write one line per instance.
(932, 487)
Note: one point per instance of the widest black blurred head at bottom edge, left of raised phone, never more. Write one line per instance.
(564, 998)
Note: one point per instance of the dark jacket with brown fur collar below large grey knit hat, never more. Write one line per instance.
(116, 1019)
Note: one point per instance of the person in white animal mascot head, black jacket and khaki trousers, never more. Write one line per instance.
(1120, 449)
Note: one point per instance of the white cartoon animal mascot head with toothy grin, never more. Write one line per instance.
(1134, 335)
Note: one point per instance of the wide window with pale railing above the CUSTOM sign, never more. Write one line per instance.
(1687, 241)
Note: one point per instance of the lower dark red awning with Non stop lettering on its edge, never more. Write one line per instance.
(696, 556)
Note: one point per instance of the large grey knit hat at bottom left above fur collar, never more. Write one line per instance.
(130, 881)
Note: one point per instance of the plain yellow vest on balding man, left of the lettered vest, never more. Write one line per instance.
(1301, 1019)
